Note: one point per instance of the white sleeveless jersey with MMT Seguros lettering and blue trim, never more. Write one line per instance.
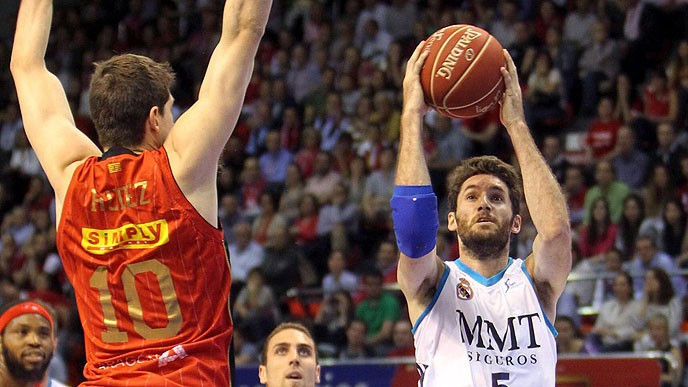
(485, 332)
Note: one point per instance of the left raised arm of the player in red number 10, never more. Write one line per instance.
(45, 111)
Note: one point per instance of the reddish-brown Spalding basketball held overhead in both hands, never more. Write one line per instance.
(461, 76)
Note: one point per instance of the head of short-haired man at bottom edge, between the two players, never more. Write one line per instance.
(289, 357)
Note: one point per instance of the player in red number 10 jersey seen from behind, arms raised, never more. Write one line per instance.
(138, 224)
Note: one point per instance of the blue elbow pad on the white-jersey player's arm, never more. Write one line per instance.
(414, 211)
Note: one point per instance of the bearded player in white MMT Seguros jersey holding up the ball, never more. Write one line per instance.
(484, 319)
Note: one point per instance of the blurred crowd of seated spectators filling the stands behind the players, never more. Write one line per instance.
(305, 180)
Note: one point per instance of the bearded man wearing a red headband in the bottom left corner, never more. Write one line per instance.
(28, 344)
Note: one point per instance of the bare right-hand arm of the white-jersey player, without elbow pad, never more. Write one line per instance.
(550, 262)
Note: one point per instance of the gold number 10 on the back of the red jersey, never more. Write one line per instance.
(112, 333)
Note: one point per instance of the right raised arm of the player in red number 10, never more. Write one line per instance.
(197, 138)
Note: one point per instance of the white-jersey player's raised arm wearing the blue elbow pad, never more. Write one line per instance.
(417, 276)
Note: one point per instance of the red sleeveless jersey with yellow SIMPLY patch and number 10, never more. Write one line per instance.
(151, 276)
